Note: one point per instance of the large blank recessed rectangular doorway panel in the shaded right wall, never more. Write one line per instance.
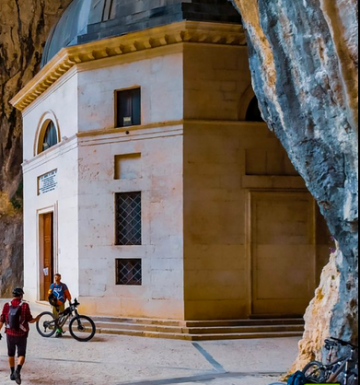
(282, 252)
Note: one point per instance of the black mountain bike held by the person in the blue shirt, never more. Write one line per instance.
(81, 327)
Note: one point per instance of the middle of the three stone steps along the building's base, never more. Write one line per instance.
(199, 330)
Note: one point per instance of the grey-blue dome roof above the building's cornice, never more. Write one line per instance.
(90, 20)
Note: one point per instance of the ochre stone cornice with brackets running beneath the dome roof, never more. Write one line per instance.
(182, 32)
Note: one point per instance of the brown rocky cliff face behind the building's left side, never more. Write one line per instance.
(24, 26)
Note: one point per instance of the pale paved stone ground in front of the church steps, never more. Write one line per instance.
(123, 360)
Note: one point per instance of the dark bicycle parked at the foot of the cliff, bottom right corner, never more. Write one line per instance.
(343, 369)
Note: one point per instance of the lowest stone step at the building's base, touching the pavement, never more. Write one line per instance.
(199, 337)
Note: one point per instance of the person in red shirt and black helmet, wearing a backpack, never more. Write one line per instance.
(17, 338)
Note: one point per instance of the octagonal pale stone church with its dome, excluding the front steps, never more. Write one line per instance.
(151, 182)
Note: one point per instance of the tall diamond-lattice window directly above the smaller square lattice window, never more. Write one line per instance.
(128, 218)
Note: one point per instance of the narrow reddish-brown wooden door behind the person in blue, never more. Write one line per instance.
(48, 253)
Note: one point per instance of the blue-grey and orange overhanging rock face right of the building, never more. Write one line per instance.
(304, 65)
